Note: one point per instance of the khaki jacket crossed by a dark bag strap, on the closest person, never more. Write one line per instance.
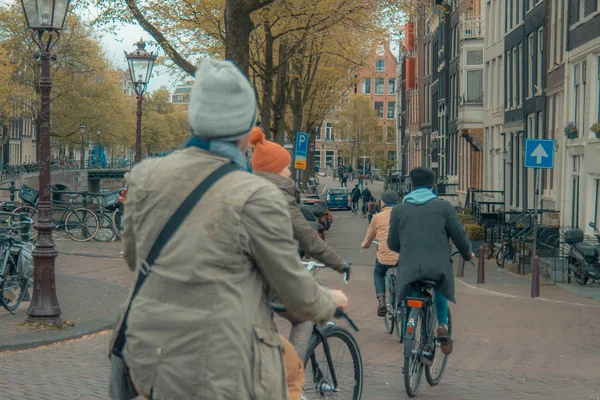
(201, 327)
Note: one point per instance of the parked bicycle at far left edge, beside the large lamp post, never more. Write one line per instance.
(13, 281)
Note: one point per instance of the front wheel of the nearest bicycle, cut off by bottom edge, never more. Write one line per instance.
(347, 366)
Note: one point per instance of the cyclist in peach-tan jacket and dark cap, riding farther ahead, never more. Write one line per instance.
(386, 258)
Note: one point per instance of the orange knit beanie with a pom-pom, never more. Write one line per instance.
(267, 156)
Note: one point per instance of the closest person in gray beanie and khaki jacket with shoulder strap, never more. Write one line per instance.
(206, 262)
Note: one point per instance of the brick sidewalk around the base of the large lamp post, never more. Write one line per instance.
(90, 292)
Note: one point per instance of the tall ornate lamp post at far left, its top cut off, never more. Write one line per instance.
(46, 19)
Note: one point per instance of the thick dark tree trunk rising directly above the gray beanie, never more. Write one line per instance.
(238, 26)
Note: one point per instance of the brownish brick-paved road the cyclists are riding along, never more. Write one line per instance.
(506, 347)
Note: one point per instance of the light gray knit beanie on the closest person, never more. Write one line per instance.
(223, 103)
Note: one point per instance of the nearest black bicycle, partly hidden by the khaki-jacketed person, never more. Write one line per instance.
(323, 381)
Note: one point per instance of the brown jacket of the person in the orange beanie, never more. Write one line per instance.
(307, 237)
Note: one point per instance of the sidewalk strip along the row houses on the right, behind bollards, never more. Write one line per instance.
(502, 282)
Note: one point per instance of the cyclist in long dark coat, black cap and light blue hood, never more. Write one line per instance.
(420, 229)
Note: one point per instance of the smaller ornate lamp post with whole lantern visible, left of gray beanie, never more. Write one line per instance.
(140, 67)
